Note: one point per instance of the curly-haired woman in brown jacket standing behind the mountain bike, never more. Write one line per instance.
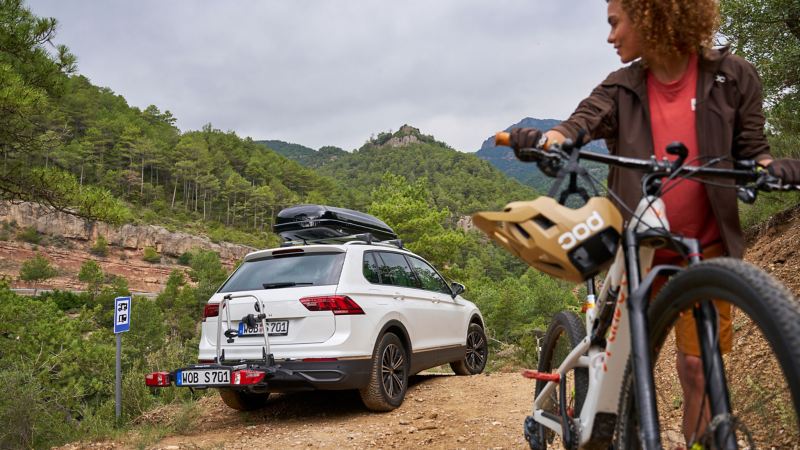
(677, 89)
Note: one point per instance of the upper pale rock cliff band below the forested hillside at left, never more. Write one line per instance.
(132, 237)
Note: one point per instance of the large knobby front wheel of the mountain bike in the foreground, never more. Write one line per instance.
(762, 371)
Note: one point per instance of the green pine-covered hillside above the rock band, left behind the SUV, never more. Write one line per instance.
(205, 178)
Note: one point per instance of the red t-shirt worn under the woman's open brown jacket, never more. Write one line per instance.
(672, 118)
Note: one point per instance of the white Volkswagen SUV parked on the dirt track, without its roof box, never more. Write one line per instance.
(355, 315)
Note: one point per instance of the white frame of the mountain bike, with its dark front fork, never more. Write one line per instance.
(627, 334)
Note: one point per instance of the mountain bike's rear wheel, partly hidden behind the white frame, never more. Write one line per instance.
(565, 332)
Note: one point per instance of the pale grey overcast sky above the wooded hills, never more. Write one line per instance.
(334, 72)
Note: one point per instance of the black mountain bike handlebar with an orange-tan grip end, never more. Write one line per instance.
(746, 171)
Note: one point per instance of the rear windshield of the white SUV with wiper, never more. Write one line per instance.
(310, 269)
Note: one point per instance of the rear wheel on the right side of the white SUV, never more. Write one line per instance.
(388, 379)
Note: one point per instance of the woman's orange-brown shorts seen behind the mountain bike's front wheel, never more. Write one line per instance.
(685, 328)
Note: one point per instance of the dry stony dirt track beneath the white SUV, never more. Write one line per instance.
(440, 411)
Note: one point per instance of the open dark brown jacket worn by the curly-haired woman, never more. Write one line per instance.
(729, 117)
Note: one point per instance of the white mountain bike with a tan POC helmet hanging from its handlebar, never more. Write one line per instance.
(595, 383)
